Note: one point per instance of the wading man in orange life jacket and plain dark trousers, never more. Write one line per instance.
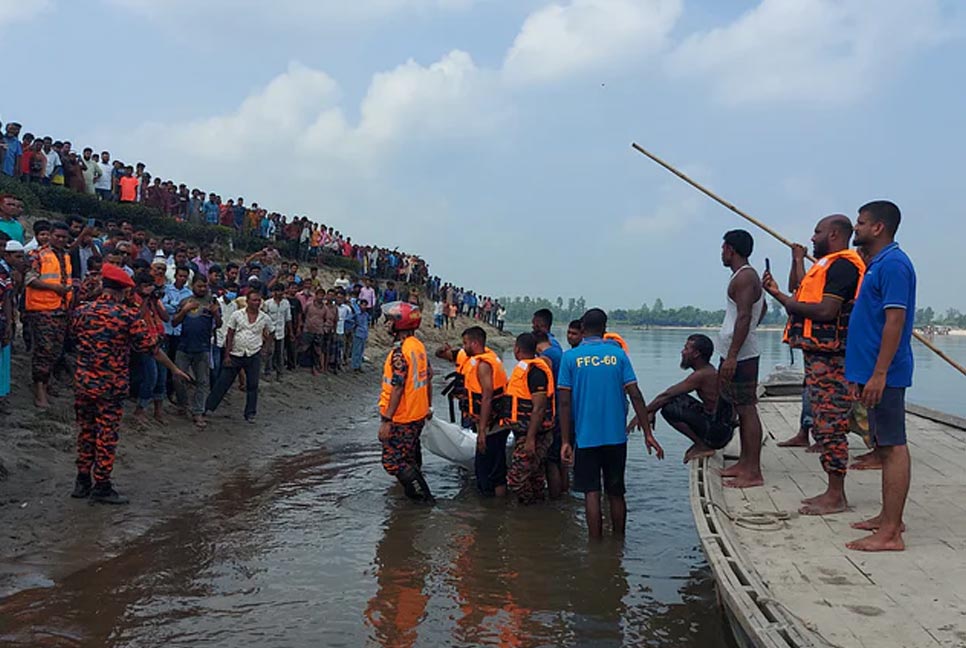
(485, 382)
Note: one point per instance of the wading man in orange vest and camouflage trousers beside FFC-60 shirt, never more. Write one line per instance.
(530, 391)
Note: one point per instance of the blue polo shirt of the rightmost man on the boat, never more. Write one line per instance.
(889, 282)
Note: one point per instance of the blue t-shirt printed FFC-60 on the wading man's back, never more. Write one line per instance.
(596, 373)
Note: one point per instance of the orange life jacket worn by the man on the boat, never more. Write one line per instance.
(827, 337)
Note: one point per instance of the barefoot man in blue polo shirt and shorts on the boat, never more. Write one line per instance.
(879, 364)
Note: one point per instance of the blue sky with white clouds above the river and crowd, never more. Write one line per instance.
(493, 137)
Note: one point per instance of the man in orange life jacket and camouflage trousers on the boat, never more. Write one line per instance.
(818, 324)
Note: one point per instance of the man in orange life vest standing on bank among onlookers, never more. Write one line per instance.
(48, 298)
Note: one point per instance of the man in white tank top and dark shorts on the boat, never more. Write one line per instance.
(738, 346)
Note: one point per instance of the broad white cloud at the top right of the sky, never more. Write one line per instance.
(815, 51)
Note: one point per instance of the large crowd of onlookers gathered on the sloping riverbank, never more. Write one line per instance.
(118, 313)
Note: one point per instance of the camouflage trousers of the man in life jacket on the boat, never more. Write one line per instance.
(828, 395)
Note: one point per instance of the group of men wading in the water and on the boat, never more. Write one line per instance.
(850, 314)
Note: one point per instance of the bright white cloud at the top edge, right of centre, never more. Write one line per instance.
(564, 39)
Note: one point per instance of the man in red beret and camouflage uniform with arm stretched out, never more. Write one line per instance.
(107, 330)
